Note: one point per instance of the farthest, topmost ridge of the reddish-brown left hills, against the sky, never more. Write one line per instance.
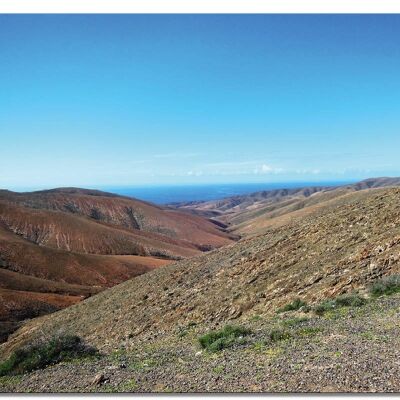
(124, 212)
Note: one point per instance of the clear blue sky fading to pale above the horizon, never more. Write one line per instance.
(134, 99)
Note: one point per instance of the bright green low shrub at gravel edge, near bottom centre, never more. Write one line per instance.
(221, 339)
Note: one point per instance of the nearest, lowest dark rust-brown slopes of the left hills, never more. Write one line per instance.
(36, 279)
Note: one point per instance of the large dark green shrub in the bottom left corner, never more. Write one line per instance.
(45, 352)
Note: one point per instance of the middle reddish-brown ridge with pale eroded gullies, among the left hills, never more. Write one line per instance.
(64, 231)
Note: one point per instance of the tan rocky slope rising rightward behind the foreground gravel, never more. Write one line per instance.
(340, 247)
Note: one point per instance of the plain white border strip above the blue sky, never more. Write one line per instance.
(199, 6)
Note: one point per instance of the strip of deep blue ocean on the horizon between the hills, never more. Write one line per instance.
(173, 194)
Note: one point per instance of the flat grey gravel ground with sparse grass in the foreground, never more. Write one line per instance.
(347, 350)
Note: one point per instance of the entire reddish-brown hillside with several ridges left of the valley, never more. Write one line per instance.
(60, 246)
